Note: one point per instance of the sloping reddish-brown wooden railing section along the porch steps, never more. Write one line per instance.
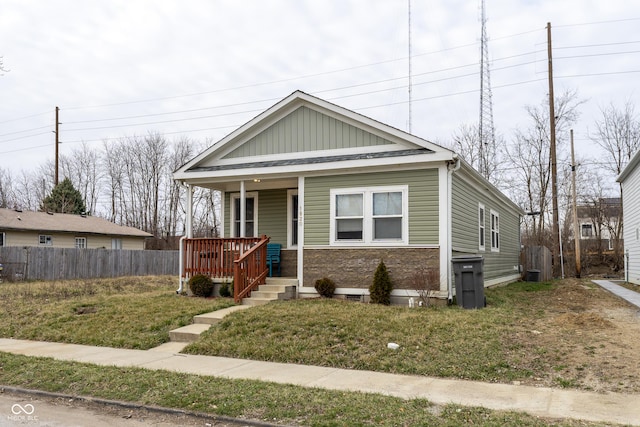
(250, 270)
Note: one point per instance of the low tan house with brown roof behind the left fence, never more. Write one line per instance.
(28, 228)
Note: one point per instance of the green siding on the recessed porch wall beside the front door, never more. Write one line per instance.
(272, 214)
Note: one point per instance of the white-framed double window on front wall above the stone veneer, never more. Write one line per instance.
(374, 215)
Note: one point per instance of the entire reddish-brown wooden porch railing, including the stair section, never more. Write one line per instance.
(242, 258)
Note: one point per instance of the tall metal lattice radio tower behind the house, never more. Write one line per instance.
(486, 130)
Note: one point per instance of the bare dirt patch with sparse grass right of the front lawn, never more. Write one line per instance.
(581, 336)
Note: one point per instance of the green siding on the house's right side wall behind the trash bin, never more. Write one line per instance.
(466, 198)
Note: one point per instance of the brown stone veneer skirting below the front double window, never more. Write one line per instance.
(355, 267)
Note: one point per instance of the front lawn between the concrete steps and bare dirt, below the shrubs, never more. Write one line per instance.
(443, 341)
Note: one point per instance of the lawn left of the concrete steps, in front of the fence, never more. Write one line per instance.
(126, 312)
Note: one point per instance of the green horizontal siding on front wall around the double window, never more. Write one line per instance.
(423, 202)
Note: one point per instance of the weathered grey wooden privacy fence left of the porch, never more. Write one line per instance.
(38, 263)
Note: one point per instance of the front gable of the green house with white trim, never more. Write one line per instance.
(305, 133)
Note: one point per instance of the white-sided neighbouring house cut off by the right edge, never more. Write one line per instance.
(629, 179)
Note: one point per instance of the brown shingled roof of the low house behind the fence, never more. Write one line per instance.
(63, 223)
